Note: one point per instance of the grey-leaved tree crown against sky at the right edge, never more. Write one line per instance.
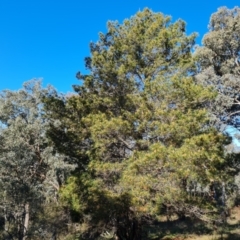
(218, 62)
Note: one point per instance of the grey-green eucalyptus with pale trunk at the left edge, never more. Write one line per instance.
(28, 166)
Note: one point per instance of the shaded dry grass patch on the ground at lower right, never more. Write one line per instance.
(188, 229)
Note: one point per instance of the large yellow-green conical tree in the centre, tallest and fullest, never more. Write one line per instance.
(138, 130)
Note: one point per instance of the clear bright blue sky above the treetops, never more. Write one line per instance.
(49, 39)
